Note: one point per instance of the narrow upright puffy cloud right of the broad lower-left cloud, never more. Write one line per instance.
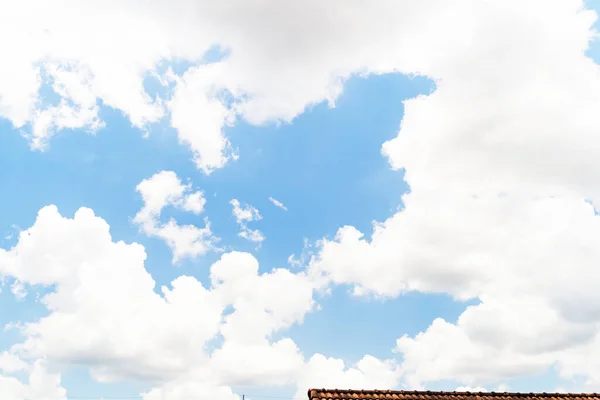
(262, 306)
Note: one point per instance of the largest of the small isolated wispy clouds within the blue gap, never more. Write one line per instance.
(165, 189)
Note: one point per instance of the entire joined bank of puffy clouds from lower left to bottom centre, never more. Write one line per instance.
(104, 312)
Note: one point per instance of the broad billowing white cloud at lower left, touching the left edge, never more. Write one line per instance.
(104, 311)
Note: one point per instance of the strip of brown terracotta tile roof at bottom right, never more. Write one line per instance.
(338, 394)
